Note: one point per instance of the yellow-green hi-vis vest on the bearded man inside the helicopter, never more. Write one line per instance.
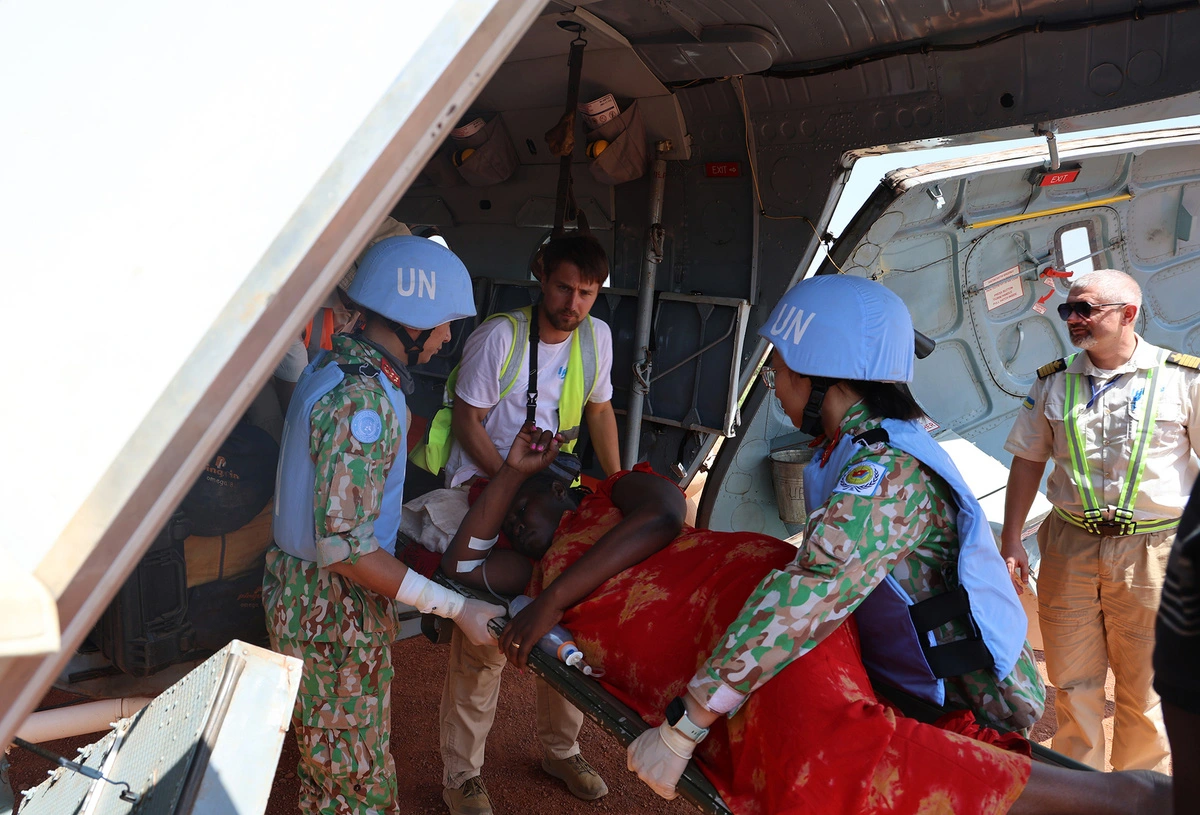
(581, 380)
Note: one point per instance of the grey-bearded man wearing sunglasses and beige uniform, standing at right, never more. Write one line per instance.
(1121, 421)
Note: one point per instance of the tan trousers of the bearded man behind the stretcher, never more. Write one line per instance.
(469, 709)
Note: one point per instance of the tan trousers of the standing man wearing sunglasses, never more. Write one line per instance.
(1097, 602)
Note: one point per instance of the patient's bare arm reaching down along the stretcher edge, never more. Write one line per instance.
(653, 516)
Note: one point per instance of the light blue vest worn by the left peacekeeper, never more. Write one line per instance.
(295, 525)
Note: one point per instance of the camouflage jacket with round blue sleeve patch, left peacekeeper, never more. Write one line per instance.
(304, 601)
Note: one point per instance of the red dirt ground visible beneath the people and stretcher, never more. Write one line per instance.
(513, 771)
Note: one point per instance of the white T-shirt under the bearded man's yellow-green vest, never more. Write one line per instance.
(479, 386)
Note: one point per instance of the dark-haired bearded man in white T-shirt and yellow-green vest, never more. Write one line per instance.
(485, 422)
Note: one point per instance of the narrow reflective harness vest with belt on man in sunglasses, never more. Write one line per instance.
(1082, 474)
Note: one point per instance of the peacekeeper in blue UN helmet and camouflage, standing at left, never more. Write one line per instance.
(333, 576)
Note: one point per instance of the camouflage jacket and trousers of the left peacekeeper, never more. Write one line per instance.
(343, 632)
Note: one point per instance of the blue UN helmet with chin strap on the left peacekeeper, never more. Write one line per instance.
(413, 283)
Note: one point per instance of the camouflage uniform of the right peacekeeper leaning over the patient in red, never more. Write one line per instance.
(851, 544)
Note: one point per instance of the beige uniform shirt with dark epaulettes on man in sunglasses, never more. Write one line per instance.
(1111, 427)
